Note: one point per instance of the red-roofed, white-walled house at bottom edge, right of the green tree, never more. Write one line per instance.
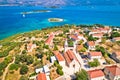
(96, 75)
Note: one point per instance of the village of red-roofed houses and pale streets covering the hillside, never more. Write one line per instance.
(67, 52)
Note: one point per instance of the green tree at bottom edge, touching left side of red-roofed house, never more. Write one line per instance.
(82, 75)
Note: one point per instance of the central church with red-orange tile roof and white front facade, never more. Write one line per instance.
(70, 58)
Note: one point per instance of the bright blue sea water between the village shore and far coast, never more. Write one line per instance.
(12, 22)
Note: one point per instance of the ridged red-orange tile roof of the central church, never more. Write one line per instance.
(69, 56)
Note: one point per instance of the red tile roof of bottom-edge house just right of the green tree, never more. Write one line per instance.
(95, 73)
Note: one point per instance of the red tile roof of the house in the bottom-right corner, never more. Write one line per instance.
(115, 70)
